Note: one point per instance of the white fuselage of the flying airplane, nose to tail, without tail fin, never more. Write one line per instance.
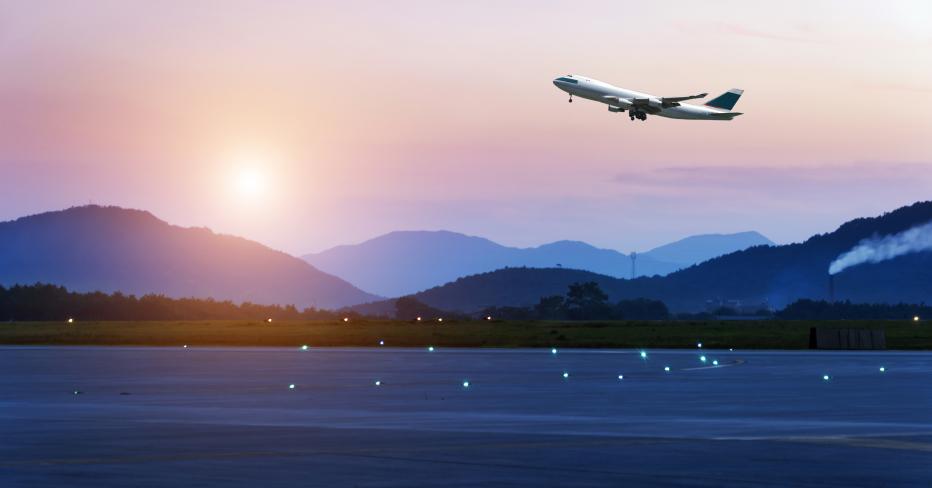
(599, 91)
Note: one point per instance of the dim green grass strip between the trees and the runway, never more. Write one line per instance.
(764, 334)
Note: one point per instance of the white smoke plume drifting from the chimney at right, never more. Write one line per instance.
(877, 249)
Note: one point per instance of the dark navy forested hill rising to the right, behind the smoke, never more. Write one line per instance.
(774, 275)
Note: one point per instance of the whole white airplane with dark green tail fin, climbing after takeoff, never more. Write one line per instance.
(638, 104)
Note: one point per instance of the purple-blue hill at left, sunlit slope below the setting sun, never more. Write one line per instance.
(111, 249)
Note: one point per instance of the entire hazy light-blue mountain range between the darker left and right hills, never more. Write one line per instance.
(405, 262)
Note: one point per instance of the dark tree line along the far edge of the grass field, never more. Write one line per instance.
(582, 301)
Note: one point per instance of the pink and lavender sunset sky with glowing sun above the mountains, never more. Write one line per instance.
(305, 125)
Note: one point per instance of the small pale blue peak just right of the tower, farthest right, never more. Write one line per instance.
(696, 249)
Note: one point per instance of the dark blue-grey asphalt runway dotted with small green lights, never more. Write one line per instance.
(122, 416)
